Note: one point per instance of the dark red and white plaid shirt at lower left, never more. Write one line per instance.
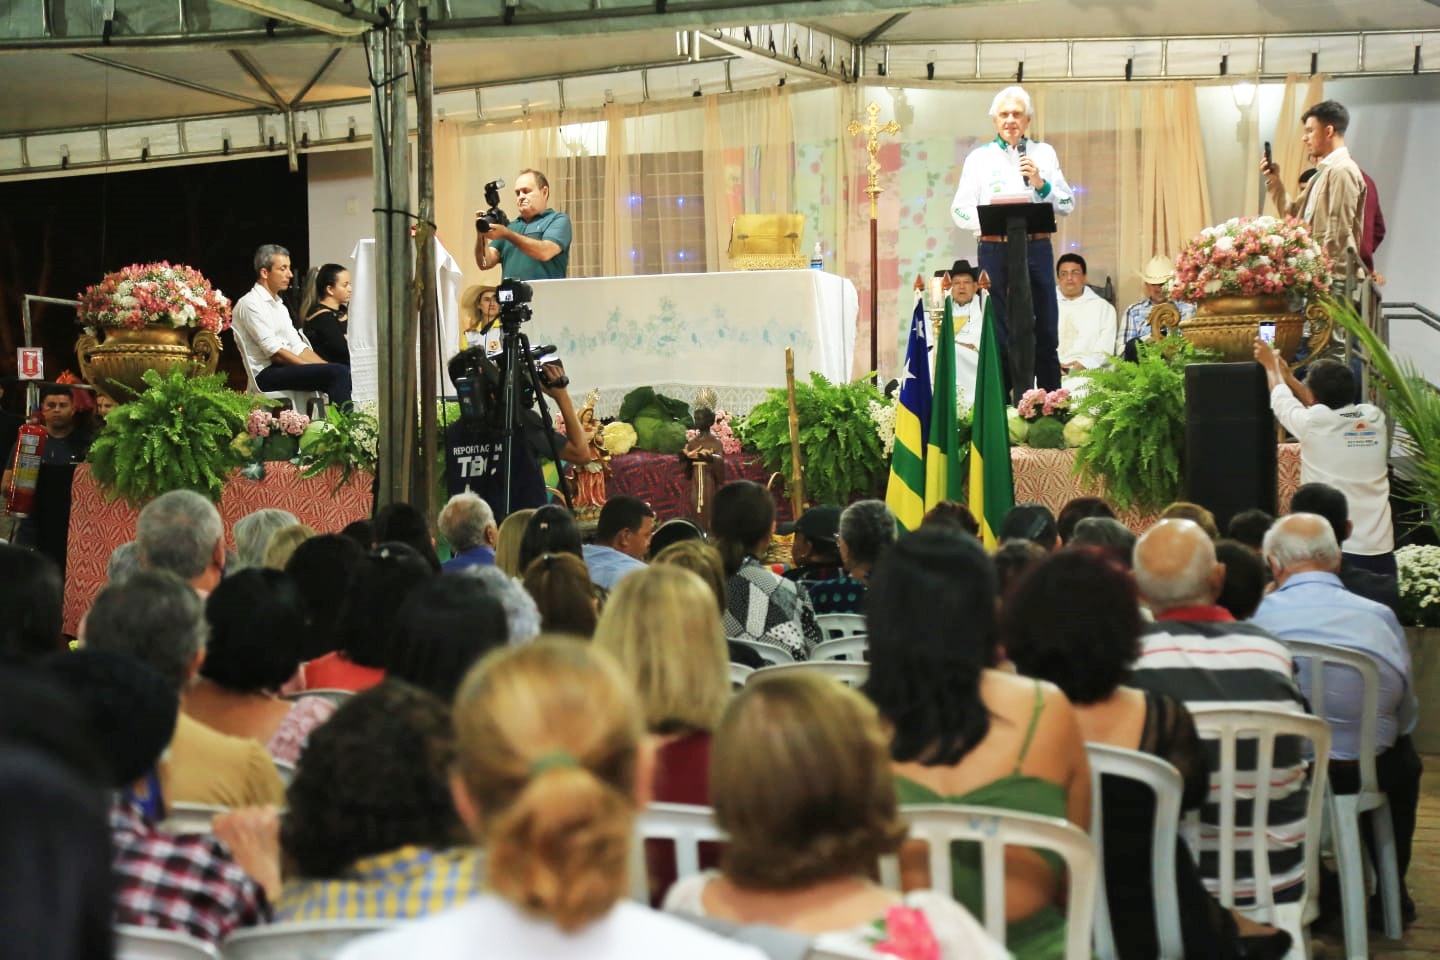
(184, 883)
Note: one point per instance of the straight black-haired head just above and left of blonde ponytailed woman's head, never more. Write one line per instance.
(444, 627)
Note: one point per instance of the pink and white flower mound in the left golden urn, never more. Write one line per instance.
(155, 294)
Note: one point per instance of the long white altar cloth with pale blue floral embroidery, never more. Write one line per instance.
(683, 332)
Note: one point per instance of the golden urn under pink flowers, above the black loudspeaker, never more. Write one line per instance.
(1229, 326)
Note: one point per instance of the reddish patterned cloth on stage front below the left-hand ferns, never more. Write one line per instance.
(97, 527)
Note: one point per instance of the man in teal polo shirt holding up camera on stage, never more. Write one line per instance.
(535, 247)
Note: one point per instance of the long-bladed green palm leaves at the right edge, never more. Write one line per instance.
(1413, 407)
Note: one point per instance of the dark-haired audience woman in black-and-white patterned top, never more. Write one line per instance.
(760, 604)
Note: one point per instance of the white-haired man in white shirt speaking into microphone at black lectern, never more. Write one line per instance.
(1013, 169)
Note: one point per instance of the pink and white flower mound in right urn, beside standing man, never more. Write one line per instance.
(1252, 257)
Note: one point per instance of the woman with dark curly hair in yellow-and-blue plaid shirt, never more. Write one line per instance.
(371, 833)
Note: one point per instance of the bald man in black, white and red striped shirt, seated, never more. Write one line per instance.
(1199, 654)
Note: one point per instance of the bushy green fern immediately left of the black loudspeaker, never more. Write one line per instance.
(1135, 444)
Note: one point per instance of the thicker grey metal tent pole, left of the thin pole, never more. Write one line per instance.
(395, 322)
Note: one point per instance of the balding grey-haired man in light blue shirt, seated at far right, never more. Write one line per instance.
(1311, 604)
